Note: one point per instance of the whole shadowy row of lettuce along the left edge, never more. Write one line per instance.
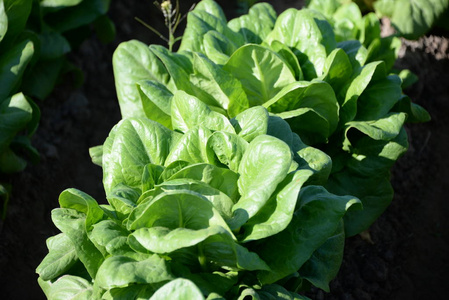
(35, 36)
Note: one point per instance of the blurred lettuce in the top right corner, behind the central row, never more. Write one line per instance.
(349, 24)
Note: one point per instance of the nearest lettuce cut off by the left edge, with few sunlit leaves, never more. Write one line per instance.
(19, 115)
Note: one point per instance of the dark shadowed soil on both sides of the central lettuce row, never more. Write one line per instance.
(406, 256)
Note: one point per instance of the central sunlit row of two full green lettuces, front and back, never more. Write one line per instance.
(241, 163)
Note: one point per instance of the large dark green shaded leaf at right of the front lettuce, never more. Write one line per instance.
(305, 233)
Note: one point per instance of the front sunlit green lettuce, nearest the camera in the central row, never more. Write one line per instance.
(234, 207)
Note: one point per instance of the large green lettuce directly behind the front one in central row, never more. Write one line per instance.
(330, 93)
